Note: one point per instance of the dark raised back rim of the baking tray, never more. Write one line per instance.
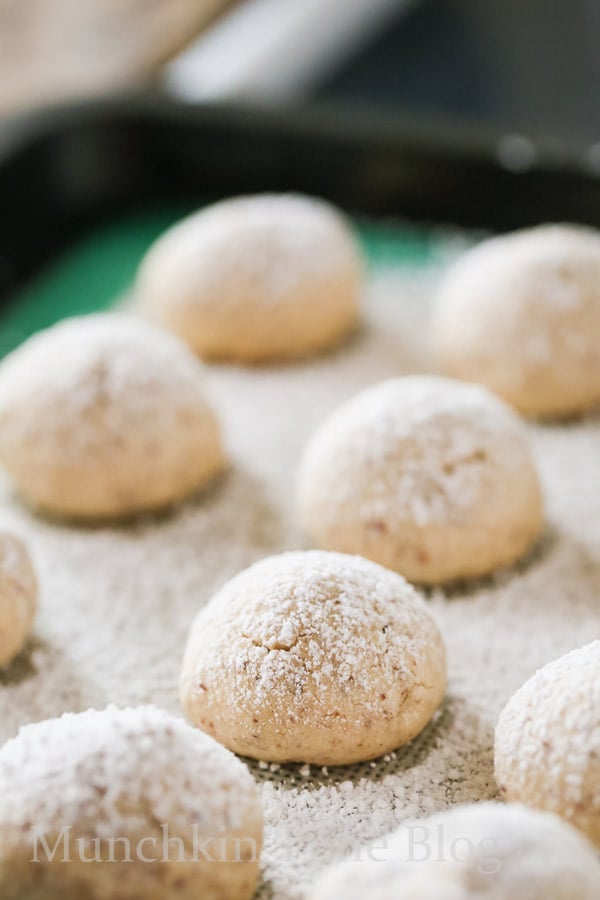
(64, 169)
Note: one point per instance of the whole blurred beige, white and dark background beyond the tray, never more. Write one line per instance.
(525, 66)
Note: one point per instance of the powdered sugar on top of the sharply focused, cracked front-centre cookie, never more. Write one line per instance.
(312, 620)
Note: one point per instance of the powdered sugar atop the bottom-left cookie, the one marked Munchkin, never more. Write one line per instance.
(112, 772)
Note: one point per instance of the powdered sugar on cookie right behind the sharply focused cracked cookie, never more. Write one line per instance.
(425, 442)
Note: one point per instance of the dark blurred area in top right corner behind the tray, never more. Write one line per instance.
(528, 67)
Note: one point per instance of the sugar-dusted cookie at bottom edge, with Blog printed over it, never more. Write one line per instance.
(483, 851)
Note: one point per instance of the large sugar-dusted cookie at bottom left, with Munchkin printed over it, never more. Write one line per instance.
(125, 804)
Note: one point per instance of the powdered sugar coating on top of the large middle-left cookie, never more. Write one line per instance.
(105, 366)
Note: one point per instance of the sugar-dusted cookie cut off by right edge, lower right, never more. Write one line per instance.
(548, 741)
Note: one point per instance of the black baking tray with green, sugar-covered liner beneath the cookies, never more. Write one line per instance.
(85, 186)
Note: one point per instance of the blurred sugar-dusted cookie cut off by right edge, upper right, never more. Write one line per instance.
(521, 315)
